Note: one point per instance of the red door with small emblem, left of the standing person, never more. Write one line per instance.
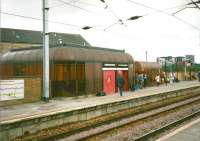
(109, 81)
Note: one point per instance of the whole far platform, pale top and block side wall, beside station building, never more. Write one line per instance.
(17, 120)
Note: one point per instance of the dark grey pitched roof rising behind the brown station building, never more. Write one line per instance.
(35, 37)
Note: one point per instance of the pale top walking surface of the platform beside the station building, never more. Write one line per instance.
(23, 111)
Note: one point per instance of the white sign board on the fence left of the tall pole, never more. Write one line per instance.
(11, 89)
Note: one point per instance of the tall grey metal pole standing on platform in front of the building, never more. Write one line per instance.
(45, 52)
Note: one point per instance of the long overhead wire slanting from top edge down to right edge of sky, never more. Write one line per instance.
(161, 11)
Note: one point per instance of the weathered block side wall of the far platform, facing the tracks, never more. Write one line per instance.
(12, 129)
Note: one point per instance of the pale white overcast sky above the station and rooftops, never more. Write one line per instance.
(157, 32)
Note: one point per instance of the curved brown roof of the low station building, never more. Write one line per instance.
(69, 54)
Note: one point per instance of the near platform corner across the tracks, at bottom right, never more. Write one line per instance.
(189, 132)
